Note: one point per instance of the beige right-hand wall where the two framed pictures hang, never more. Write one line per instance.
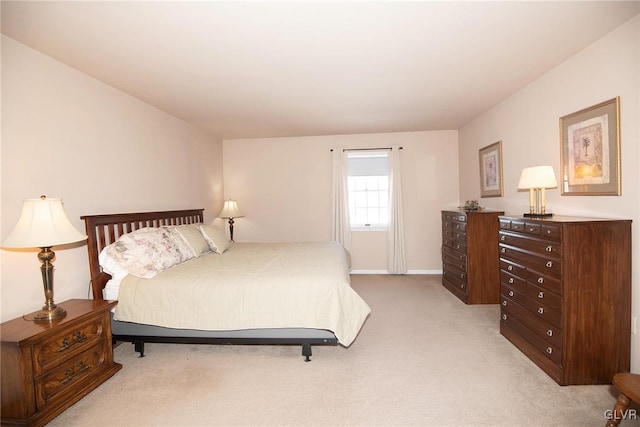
(528, 125)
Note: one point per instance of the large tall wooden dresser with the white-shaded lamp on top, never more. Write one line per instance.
(566, 295)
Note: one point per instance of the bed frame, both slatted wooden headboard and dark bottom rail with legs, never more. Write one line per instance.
(103, 230)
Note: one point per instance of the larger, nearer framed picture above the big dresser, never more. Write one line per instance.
(590, 151)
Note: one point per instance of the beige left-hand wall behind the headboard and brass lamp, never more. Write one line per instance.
(67, 135)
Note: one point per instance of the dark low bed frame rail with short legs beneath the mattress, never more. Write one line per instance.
(138, 342)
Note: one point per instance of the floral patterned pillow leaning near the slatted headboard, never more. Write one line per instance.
(149, 251)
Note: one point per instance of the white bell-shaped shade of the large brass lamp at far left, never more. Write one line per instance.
(42, 224)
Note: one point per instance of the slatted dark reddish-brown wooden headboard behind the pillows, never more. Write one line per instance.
(103, 230)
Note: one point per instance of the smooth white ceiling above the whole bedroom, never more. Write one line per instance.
(269, 69)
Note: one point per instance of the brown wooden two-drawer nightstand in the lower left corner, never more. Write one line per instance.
(48, 366)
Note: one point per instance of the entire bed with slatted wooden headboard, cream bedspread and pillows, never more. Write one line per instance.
(237, 293)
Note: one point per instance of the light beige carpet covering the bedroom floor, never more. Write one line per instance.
(423, 358)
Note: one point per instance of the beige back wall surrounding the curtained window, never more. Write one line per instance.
(283, 186)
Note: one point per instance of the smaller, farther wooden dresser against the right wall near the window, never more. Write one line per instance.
(470, 267)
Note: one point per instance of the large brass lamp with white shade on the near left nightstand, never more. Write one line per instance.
(44, 224)
